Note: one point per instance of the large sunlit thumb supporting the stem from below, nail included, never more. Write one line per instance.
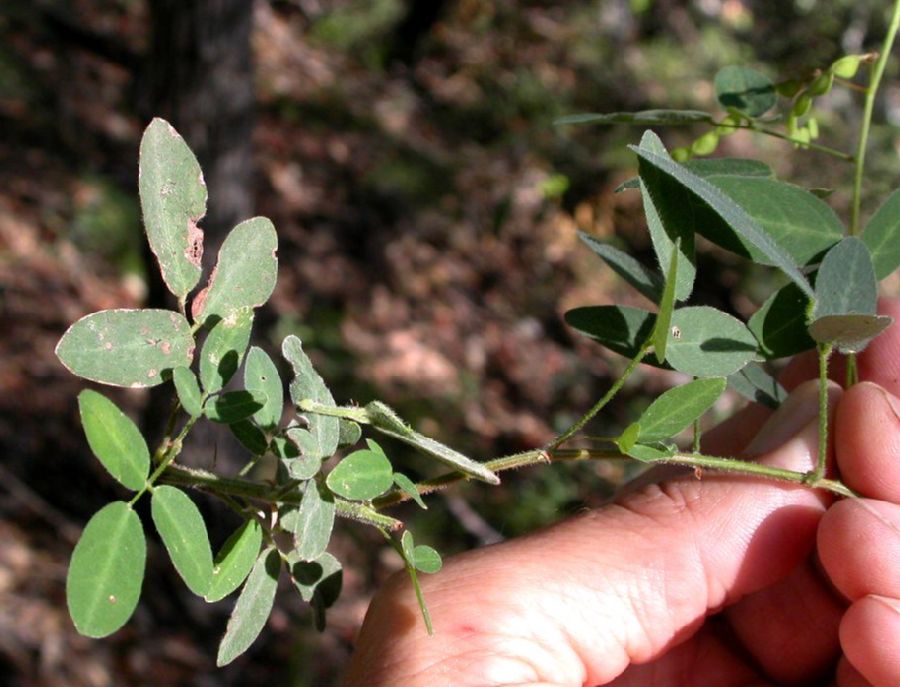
(579, 602)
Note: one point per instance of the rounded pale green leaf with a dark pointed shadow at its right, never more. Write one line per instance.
(705, 342)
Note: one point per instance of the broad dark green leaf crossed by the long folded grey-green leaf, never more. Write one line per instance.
(799, 223)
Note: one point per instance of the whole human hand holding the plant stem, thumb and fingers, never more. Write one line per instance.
(713, 582)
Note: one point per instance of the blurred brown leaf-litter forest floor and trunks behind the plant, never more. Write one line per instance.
(427, 211)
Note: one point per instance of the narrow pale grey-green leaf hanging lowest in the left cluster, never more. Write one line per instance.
(252, 608)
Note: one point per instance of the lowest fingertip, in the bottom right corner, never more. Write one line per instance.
(870, 635)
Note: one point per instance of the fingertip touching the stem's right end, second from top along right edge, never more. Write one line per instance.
(867, 441)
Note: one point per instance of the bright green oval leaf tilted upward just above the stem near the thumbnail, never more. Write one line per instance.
(677, 408)
